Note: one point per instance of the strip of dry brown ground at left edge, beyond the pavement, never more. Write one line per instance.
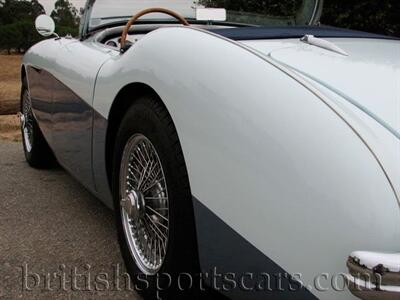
(10, 86)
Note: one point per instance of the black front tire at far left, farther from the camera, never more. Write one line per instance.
(39, 155)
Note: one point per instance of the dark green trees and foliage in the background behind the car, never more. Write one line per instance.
(17, 31)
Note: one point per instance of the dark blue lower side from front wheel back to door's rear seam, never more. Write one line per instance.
(66, 122)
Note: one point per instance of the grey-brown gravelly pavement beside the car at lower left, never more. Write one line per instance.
(56, 240)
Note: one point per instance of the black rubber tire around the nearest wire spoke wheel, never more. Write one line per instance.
(149, 118)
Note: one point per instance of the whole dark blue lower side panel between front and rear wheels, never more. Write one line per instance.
(67, 123)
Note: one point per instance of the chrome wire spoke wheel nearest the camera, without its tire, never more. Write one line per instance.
(144, 204)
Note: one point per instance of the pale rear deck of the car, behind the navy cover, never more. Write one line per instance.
(369, 77)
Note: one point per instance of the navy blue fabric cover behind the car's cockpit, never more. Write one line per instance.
(287, 32)
